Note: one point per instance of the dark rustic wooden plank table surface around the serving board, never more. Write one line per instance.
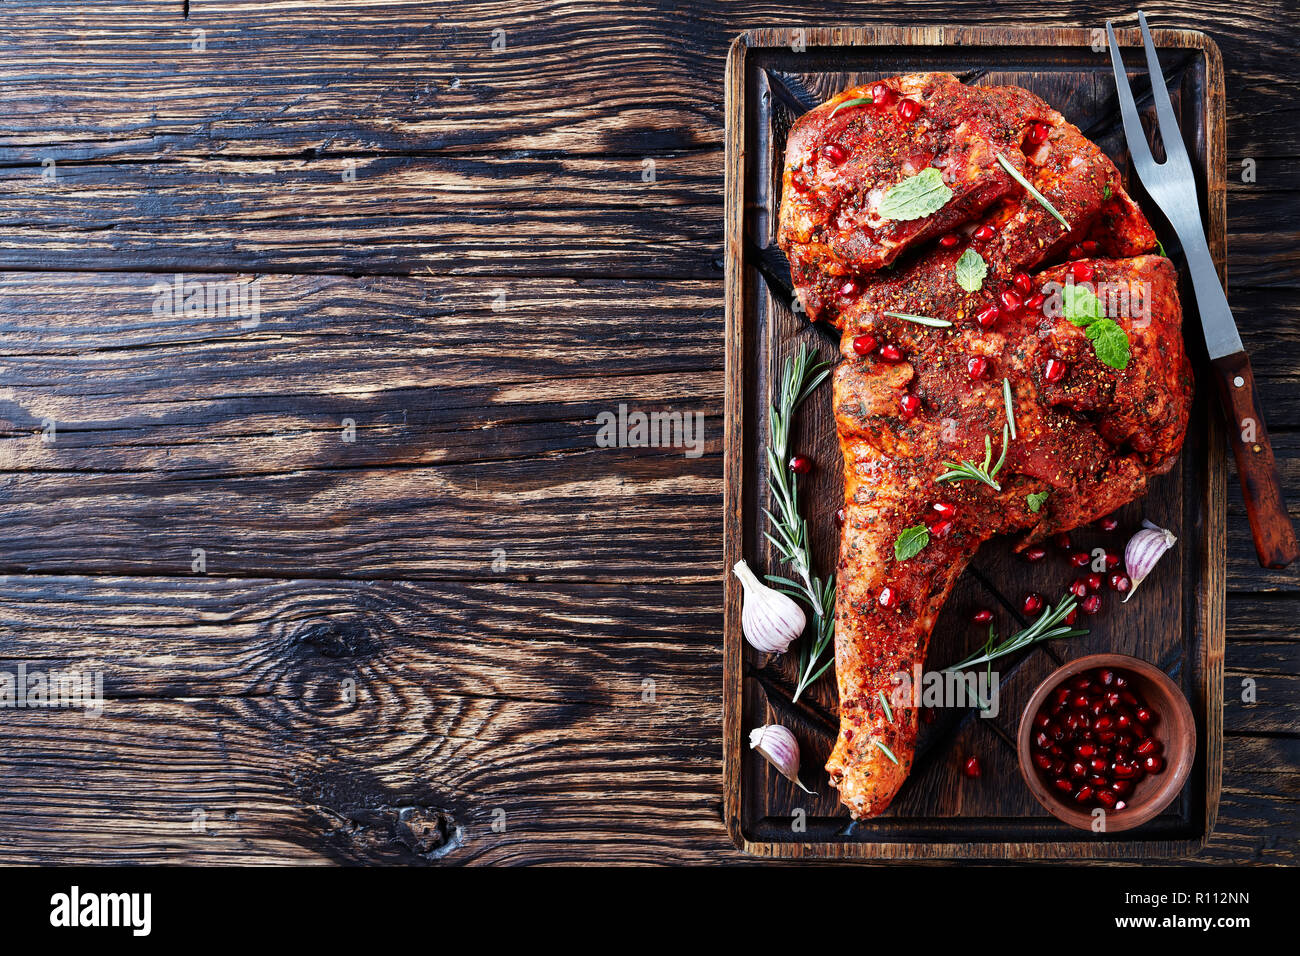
(339, 531)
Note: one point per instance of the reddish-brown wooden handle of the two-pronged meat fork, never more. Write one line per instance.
(1262, 487)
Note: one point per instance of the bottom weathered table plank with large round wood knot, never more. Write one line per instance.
(229, 707)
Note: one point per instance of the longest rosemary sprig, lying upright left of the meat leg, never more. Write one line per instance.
(790, 535)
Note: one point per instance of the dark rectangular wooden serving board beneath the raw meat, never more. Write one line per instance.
(1177, 618)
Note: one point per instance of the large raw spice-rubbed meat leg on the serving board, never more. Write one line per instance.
(911, 399)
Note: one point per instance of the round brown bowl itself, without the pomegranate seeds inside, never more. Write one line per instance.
(1175, 728)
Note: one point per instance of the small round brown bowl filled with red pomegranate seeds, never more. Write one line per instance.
(1107, 733)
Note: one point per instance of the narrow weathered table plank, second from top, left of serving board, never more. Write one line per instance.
(564, 217)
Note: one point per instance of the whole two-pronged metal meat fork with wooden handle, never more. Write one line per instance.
(1172, 187)
